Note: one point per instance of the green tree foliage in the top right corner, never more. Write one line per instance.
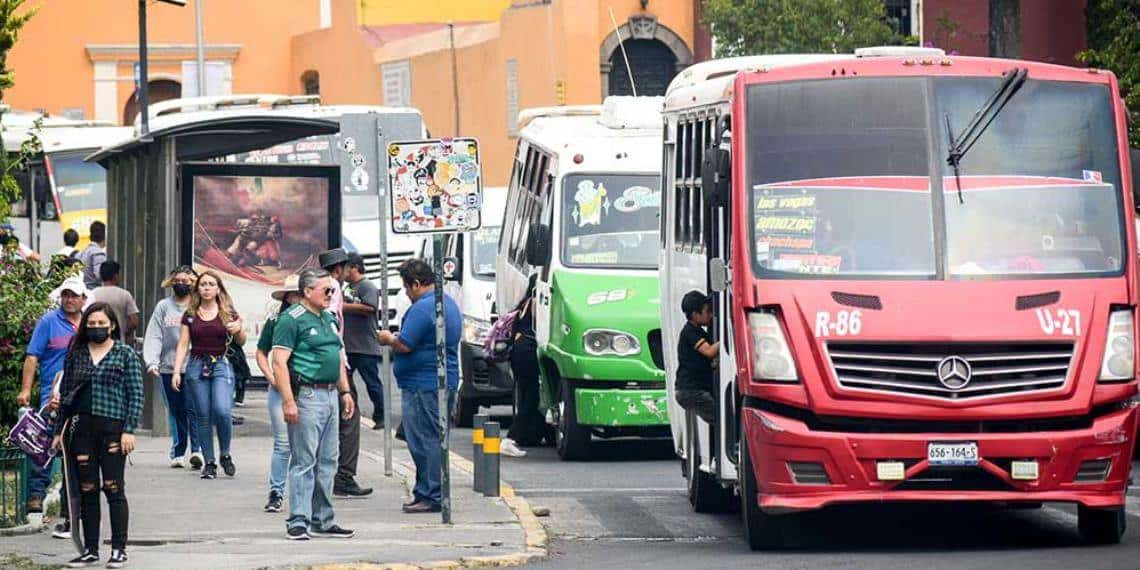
(1114, 44)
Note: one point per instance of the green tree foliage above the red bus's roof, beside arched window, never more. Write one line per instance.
(799, 27)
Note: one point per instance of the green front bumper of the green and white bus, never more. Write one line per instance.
(620, 409)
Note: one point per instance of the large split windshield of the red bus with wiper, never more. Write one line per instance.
(842, 183)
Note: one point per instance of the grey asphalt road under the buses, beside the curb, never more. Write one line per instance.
(629, 509)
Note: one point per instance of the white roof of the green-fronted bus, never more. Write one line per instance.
(624, 134)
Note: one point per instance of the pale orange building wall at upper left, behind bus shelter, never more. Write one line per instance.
(54, 71)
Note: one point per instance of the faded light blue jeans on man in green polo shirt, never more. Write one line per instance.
(315, 443)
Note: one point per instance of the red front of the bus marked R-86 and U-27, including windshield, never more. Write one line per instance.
(933, 288)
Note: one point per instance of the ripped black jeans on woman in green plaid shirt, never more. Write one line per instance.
(96, 445)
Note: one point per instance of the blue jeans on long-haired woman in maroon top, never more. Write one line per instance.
(214, 402)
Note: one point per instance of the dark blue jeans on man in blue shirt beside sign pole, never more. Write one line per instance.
(421, 429)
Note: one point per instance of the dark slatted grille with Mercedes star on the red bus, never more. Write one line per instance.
(951, 372)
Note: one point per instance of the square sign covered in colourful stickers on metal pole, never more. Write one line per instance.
(437, 186)
